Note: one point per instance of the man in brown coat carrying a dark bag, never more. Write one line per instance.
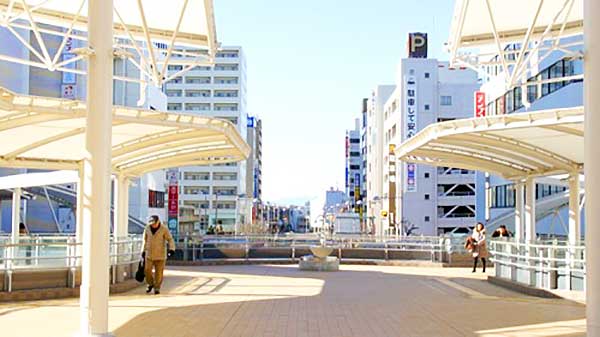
(156, 236)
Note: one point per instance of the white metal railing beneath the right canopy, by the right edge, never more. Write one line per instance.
(549, 264)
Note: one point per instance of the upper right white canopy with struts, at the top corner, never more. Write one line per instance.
(482, 29)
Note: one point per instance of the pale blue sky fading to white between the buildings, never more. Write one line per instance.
(309, 64)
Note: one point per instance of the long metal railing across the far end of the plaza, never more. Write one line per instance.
(283, 247)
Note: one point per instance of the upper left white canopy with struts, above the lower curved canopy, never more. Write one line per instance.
(148, 33)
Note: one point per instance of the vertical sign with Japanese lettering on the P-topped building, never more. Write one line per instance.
(410, 129)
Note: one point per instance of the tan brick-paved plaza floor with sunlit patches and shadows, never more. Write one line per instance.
(279, 301)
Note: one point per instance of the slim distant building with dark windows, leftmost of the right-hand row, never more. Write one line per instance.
(353, 166)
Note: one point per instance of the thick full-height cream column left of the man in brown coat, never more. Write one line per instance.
(96, 171)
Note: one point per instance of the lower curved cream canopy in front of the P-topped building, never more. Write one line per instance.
(514, 146)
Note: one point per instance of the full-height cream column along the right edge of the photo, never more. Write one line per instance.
(591, 27)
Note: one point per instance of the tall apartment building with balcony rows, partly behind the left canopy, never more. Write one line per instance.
(213, 195)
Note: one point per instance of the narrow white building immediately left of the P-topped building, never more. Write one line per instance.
(374, 148)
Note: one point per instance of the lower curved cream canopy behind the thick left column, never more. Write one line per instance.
(49, 133)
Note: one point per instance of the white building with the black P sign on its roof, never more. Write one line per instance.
(430, 200)
